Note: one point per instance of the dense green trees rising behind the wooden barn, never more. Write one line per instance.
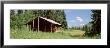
(24, 16)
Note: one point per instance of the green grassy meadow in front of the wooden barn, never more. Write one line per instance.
(65, 34)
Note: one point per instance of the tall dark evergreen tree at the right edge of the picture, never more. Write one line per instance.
(95, 23)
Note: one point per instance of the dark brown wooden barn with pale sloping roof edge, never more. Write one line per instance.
(44, 25)
